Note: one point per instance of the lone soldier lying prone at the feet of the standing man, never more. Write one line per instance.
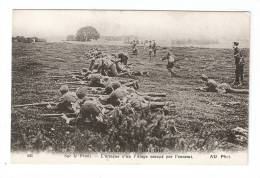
(213, 86)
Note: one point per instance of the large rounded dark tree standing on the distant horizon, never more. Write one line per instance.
(87, 33)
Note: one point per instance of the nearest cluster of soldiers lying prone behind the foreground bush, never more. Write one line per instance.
(90, 103)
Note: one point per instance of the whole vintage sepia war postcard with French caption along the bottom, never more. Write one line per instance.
(130, 87)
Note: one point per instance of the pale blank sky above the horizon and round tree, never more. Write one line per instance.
(163, 25)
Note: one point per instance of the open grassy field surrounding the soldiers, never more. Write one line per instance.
(203, 119)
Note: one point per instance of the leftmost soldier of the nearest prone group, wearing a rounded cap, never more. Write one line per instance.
(66, 101)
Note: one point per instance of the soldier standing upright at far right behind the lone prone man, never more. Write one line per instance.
(239, 62)
